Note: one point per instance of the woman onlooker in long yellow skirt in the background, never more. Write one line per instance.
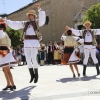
(57, 56)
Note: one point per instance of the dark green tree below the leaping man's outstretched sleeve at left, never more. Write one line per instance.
(15, 37)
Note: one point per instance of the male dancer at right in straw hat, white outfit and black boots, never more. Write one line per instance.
(89, 44)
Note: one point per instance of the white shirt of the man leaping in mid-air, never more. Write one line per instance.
(30, 31)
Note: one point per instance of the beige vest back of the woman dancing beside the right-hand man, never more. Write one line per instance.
(70, 41)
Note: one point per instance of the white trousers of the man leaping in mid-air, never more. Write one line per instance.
(31, 57)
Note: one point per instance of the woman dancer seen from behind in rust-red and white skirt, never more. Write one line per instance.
(71, 55)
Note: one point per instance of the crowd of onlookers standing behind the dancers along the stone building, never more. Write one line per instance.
(52, 53)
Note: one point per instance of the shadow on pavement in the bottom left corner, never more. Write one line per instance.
(23, 94)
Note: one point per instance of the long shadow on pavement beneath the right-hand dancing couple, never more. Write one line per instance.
(87, 78)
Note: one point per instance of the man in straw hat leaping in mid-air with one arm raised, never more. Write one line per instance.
(31, 38)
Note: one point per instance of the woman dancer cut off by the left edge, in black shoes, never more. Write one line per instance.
(6, 57)
